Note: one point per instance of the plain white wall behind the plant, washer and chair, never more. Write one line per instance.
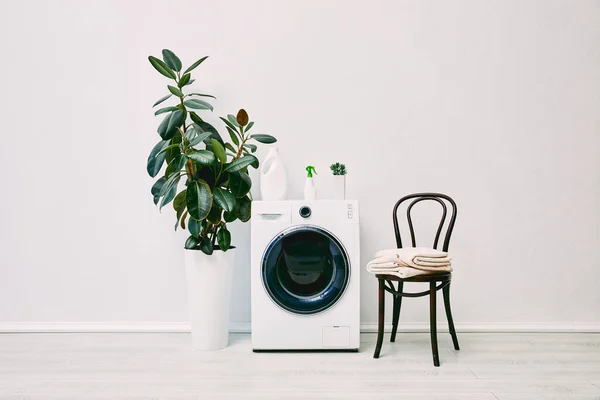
(495, 103)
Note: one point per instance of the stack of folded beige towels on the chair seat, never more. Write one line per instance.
(409, 261)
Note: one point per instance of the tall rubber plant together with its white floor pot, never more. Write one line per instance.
(206, 180)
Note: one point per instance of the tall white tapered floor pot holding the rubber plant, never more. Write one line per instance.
(209, 281)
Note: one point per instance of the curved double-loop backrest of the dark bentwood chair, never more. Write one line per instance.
(442, 199)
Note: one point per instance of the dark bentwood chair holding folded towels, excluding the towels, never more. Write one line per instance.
(444, 278)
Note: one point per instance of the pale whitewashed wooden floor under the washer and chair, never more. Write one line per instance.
(163, 366)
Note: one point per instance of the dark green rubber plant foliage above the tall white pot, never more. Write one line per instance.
(216, 188)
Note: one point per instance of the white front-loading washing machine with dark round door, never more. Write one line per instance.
(305, 275)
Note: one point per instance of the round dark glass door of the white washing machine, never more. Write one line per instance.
(305, 269)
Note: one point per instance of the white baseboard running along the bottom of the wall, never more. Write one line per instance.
(244, 327)
